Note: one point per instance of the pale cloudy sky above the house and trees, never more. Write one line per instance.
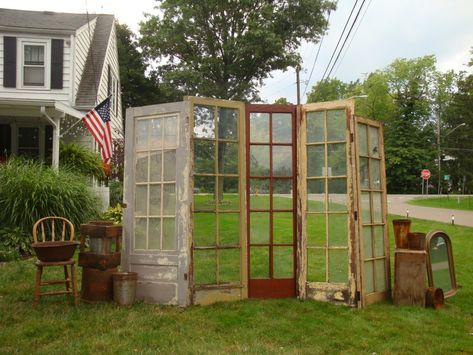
(386, 30)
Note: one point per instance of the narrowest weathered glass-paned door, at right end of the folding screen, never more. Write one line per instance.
(373, 231)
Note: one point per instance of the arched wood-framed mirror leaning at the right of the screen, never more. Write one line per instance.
(440, 269)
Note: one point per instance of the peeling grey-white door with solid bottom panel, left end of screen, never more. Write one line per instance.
(157, 166)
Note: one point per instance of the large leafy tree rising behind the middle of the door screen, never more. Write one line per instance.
(225, 49)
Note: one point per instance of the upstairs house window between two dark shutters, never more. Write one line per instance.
(34, 67)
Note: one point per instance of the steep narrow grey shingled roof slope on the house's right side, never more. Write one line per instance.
(89, 85)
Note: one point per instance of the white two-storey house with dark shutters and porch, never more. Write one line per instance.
(54, 67)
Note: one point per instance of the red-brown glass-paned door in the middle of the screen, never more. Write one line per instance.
(271, 197)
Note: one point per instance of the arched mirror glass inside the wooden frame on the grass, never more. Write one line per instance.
(440, 263)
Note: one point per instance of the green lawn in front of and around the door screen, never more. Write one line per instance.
(254, 326)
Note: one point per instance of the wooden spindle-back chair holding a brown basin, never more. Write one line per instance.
(49, 226)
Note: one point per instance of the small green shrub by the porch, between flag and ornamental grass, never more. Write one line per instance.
(81, 160)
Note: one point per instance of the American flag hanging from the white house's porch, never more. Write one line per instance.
(97, 121)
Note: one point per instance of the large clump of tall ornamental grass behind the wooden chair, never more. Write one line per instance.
(30, 191)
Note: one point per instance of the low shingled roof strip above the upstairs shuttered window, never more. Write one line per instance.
(43, 20)
